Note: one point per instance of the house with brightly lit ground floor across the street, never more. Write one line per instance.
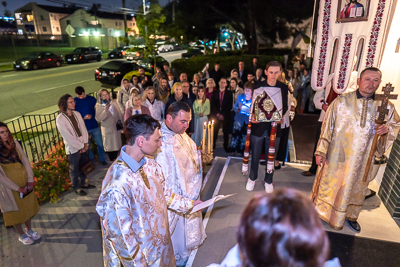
(101, 29)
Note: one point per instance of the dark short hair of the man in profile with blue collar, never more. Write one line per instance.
(139, 125)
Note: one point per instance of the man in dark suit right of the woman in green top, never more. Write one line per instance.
(221, 106)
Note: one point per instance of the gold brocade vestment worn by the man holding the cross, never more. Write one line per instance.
(346, 138)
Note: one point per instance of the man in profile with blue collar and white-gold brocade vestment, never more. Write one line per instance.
(133, 202)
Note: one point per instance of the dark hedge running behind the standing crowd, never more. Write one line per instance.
(227, 63)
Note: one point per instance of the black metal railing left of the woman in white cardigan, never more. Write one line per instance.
(36, 133)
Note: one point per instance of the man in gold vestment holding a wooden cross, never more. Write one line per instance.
(357, 126)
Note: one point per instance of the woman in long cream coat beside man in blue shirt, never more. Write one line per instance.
(108, 113)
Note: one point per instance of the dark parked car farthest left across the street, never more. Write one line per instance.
(34, 61)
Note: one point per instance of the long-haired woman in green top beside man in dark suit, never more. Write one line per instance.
(201, 109)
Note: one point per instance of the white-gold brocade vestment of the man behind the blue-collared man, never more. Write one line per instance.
(181, 165)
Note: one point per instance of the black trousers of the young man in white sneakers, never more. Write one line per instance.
(256, 148)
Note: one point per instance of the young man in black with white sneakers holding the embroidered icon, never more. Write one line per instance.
(262, 130)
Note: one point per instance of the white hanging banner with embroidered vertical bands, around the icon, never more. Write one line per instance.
(348, 35)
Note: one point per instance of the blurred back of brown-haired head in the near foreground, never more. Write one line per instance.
(282, 229)
